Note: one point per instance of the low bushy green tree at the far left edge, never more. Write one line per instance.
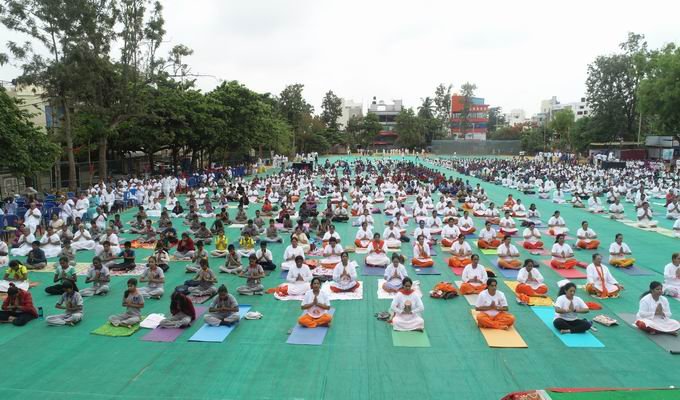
(24, 148)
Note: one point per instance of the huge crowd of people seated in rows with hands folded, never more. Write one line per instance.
(177, 221)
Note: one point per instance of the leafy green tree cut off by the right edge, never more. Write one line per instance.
(660, 91)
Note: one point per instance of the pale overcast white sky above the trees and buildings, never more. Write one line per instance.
(516, 52)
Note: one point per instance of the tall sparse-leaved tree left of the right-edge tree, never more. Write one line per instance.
(612, 87)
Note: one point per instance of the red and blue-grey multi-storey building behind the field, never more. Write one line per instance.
(477, 119)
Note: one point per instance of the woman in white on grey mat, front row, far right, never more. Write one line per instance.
(654, 314)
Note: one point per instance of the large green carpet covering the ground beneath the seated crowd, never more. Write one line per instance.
(357, 360)
